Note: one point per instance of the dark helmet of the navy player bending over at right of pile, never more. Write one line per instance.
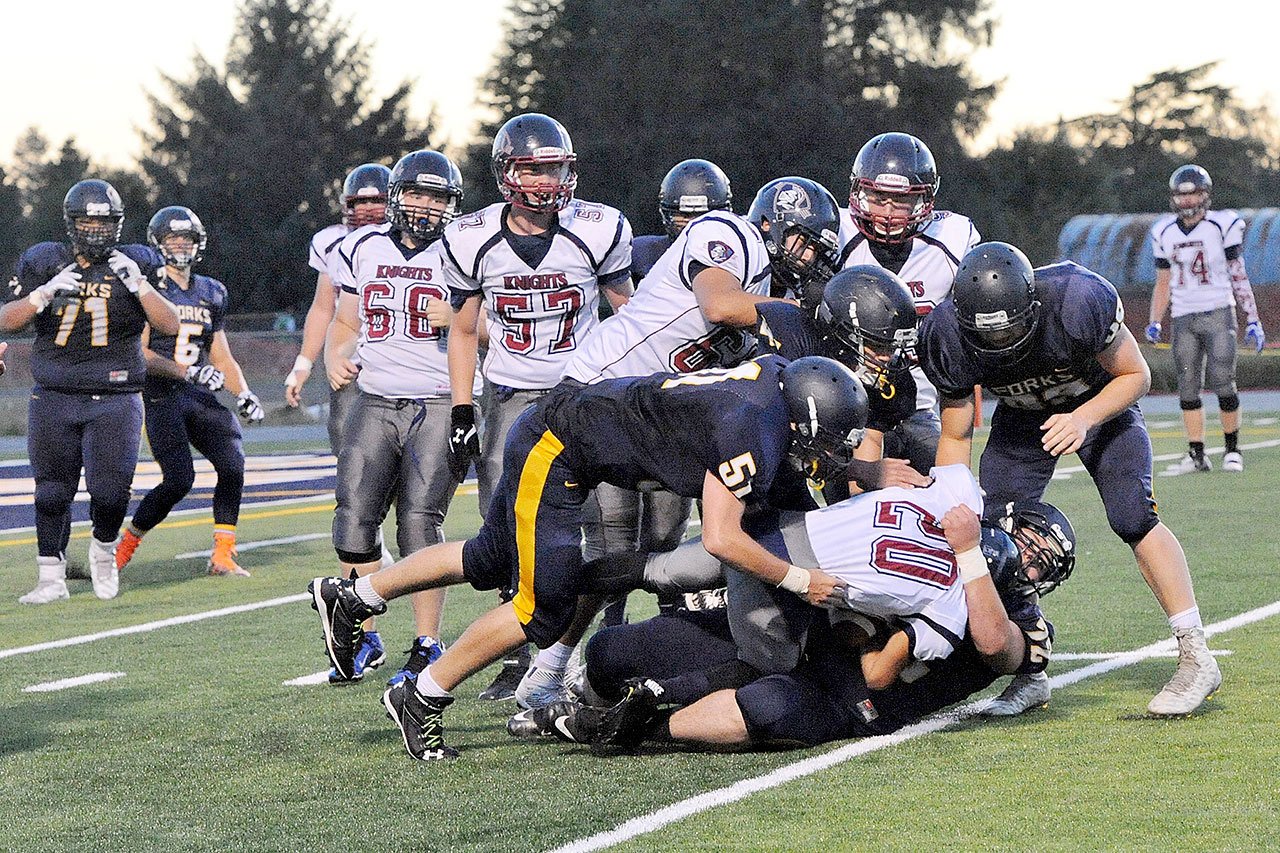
(996, 305)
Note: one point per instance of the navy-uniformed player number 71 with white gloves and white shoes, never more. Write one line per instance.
(89, 300)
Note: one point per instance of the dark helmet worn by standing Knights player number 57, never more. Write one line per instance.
(534, 139)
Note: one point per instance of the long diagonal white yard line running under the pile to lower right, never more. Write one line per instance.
(739, 791)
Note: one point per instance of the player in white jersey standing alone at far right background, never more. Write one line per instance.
(1201, 279)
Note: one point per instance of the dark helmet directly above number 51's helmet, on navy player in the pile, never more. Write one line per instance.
(867, 321)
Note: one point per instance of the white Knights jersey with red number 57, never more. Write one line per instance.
(537, 316)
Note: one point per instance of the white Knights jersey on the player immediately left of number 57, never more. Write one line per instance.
(400, 354)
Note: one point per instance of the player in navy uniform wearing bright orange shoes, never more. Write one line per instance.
(185, 372)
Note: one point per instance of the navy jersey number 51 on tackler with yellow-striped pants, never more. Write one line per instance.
(671, 430)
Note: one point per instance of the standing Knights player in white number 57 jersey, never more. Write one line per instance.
(536, 266)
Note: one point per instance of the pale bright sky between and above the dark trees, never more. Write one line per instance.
(89, 77)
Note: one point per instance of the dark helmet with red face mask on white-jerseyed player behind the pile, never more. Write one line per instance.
(899, 165)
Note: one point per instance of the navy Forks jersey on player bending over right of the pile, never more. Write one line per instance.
(1081, 314)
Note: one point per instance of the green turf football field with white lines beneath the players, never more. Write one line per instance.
(199, 746)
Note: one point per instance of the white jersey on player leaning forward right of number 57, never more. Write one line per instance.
(662, 330)
